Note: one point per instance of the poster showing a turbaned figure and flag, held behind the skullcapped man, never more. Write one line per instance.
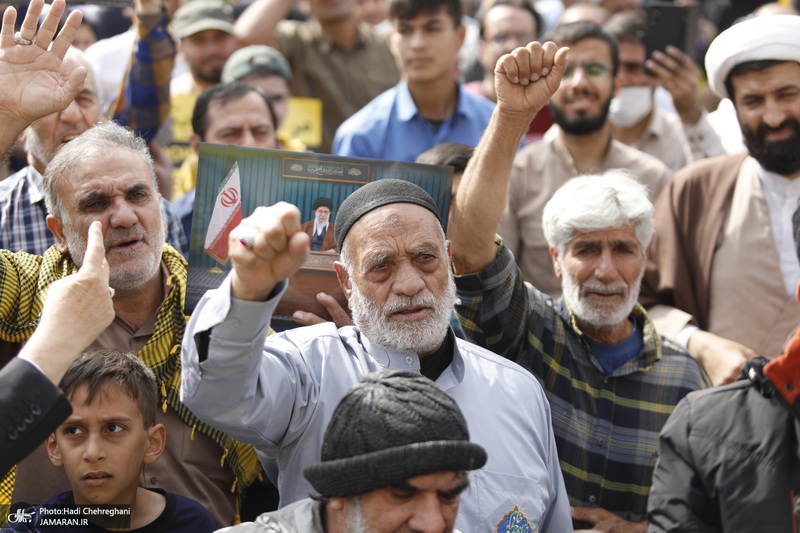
(233, 181)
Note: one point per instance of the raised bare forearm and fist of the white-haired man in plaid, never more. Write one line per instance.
(524, 80)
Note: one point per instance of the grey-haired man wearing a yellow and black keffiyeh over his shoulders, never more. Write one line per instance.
(106, 174)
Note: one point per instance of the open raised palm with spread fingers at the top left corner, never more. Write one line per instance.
(31, 83)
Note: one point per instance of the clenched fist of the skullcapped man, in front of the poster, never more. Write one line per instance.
(265, 248)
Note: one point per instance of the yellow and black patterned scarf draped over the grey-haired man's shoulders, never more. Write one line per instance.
(24, 281)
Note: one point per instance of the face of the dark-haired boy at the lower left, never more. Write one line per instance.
(103, 445)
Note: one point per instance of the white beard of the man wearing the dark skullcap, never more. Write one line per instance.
(421, 336)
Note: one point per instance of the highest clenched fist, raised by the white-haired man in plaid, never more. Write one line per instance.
(526, 78)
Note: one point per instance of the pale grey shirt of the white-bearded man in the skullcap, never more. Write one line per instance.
(278, 392)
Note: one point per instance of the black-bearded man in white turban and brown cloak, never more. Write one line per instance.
(722, 268)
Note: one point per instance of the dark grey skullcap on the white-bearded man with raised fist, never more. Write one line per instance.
(377, 194)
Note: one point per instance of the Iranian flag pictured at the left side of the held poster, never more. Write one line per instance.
(227, 215)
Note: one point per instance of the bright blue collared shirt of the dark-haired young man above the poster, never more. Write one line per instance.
(390, 126)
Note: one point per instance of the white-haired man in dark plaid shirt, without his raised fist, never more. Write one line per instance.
(610, 378)
